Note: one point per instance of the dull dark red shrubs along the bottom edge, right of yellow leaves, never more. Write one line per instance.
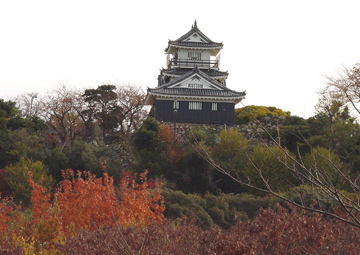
(283, 230)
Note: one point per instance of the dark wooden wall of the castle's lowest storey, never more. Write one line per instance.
(164, 111)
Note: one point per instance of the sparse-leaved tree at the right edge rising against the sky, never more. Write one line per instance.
(341, 107)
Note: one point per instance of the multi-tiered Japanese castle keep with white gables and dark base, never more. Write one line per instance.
(192, 89)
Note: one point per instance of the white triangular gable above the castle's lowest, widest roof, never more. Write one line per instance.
(196, 81)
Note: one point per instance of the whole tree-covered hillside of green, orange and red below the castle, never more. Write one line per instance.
(139, 188)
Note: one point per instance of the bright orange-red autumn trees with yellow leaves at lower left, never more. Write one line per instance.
(81, 202)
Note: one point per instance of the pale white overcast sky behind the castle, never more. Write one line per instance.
(278, 51)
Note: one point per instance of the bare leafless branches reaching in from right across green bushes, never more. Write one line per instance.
(327, 190)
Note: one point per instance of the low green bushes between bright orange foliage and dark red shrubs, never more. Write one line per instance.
(223, 210)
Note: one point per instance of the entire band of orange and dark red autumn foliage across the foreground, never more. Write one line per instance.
(89, 215)
